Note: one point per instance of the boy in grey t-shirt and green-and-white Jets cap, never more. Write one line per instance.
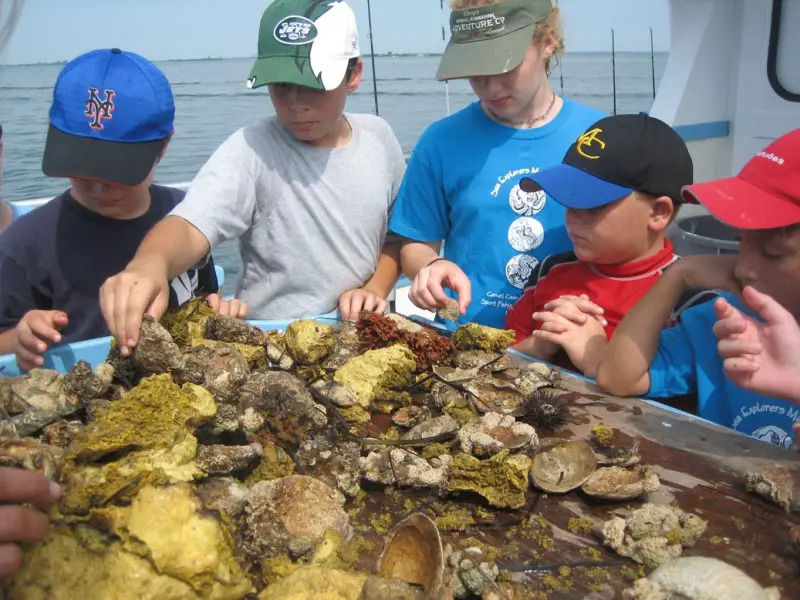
(308, 192)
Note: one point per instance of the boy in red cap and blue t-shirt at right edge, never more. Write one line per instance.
(763, 202)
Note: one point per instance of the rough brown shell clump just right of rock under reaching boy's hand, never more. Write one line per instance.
(221, 370)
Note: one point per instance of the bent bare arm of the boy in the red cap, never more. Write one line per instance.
(624, 370)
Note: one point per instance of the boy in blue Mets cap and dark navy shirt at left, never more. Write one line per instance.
(110, 122)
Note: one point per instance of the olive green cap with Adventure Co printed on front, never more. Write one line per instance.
(490, 39)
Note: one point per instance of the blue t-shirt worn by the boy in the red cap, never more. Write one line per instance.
(687, 362)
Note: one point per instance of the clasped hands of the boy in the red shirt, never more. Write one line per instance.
(575, 324)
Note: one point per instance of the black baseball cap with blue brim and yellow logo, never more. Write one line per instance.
(614, 157)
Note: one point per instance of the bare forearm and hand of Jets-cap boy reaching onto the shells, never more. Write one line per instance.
(170, 248)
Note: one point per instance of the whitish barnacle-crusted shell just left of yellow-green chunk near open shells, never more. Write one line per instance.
(398, 466)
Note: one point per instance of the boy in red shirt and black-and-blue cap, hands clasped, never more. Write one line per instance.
(621, 184)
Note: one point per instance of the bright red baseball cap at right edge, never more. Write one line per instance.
(764, 195)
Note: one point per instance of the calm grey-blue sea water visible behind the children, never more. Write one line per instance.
(212, 101)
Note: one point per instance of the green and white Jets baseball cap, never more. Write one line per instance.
(305, 42)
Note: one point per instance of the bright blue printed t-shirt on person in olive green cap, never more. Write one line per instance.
(462, 186)
